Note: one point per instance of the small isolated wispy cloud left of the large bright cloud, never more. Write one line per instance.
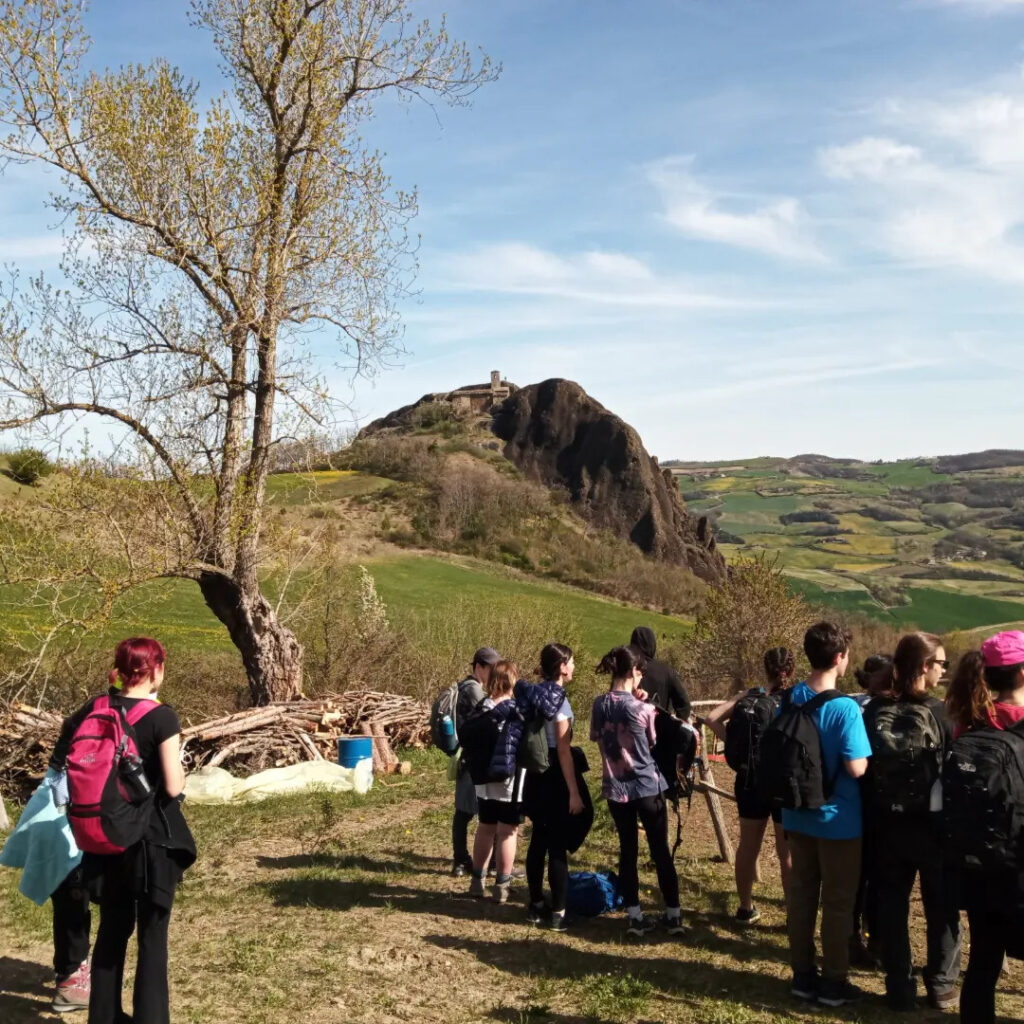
(779, 228)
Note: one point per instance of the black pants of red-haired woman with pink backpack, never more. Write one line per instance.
(119, 913)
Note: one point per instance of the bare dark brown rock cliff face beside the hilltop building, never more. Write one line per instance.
(560, 436)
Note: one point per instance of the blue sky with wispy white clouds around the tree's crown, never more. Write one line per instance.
(747, 228)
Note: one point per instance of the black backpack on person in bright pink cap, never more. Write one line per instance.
(984, 801)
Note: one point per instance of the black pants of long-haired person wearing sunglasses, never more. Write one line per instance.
(904, 849)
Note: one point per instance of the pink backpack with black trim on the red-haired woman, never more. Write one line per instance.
(111, 802)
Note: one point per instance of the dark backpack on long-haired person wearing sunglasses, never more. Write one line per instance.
(907, 756)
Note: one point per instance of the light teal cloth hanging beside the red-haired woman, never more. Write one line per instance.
(42, 844)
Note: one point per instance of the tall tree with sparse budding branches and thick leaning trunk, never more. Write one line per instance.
(204, 249)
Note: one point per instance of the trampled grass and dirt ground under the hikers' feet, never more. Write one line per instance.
(342, 910)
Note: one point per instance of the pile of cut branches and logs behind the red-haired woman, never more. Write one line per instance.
(244, 743)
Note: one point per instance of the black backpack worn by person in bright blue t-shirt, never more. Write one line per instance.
(791, 771)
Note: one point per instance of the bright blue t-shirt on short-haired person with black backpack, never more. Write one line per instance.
(844, 738)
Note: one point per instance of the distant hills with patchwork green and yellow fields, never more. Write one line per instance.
(936, 542)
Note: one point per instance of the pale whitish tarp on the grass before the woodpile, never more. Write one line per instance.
(216, 786)
